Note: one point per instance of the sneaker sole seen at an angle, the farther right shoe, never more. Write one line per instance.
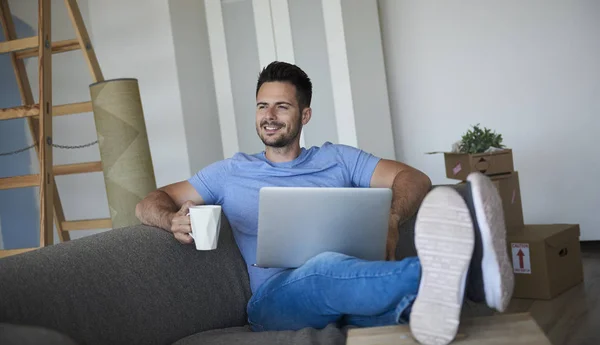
(498, 278)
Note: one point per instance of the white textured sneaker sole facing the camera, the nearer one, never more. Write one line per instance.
(444, 238)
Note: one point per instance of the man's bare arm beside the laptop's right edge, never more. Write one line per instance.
(409, 188)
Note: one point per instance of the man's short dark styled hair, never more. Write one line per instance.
(286, 72)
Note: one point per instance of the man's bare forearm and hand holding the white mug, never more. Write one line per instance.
(159, 208)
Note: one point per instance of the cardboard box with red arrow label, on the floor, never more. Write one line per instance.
(546, 260)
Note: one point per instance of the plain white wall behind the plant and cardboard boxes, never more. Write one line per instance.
(528, 69)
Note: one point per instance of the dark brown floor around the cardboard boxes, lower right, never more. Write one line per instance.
(572, 318)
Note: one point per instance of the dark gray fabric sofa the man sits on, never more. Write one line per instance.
(138, 285)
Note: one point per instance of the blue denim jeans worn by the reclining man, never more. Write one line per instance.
(336, 288)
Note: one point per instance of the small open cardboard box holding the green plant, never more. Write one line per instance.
(460, 165)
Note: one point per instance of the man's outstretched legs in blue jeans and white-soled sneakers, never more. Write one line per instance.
(461, 247)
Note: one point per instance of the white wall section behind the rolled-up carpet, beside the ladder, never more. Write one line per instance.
(134, 39)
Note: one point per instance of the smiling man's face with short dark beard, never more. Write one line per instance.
(278, 117)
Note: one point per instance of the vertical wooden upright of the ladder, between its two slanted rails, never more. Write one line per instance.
(45, 120)
